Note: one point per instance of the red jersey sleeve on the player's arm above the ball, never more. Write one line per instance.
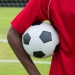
(30, 14)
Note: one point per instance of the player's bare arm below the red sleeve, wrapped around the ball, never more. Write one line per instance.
(14, 40)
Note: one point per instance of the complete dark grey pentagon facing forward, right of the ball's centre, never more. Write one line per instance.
(46, 36)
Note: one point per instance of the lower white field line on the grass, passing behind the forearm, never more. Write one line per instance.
(17, 61)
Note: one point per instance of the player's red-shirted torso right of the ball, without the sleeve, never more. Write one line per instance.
(62, 16)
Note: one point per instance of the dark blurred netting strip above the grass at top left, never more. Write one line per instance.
(13, 3)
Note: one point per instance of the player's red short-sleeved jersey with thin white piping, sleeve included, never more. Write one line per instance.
(61, 14)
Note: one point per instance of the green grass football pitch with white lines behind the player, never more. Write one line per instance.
(9, 64)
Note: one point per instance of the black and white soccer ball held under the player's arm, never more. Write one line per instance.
(40, 40)
